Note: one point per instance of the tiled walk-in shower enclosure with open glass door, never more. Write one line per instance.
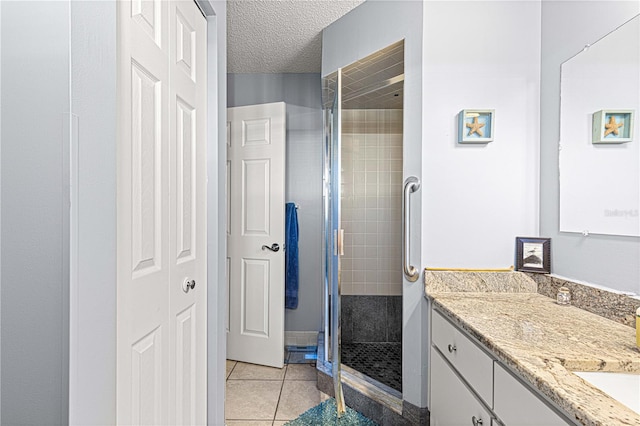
(363, 223)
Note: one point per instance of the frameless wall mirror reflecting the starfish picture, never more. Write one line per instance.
(599, 165)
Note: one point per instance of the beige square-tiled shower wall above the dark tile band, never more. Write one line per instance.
(372, 201)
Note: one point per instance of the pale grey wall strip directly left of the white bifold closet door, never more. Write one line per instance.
(92, 356)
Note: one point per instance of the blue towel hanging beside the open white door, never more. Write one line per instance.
(291, 257)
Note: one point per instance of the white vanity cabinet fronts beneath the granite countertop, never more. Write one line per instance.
(470, 387)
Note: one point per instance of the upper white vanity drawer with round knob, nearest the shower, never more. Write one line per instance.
(471, 362)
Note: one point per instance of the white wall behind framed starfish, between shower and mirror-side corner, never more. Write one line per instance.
(478, 197)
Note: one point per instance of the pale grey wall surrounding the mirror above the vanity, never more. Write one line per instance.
(611, 261)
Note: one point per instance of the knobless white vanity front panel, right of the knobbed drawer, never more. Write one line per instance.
(516, 405)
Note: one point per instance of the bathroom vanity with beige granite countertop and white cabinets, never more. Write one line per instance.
(501, 353)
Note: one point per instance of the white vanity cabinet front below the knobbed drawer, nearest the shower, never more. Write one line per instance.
(452, 404)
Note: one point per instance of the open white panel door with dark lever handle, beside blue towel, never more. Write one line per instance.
(256, 183)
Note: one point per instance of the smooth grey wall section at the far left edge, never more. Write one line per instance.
(35, 215)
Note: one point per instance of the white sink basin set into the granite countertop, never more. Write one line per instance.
(620, 386)
